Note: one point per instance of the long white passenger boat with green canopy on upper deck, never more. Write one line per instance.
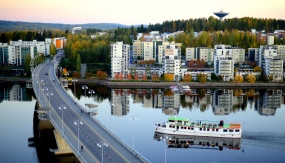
(183, 126)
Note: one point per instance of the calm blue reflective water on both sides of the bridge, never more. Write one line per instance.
(260, 111)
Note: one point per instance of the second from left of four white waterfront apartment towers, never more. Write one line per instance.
(172, 61)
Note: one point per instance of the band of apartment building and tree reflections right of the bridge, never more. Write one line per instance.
(223, 101)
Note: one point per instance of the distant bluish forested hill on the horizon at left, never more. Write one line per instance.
(17, 25)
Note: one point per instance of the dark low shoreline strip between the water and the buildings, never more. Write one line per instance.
(117, 84)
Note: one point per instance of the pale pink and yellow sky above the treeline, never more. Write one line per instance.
(133, 12)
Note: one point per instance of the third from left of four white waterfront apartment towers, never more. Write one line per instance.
(223, 62)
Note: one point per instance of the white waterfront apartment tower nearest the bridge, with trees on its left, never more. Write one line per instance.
(120, 58)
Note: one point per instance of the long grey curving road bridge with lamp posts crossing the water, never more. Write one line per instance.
(87, 138)
